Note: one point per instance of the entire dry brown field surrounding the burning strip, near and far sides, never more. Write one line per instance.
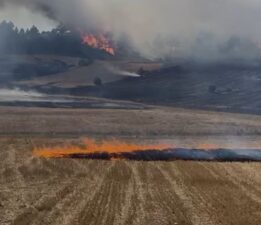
(72, 191)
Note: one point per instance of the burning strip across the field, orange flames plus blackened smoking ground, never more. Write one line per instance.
(116, 149)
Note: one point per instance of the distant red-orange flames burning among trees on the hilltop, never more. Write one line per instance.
(98, 41)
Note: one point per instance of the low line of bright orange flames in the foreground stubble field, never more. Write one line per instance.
(90, 146)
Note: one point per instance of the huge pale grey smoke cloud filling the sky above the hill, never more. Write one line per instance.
(203, 30)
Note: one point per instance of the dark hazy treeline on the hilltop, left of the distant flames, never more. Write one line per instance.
(58, 41)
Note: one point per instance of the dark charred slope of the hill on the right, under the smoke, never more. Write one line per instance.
(219, 88)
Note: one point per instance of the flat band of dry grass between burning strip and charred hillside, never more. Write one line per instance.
(148, 122)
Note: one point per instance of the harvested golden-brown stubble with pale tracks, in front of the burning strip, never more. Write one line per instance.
(71, 191)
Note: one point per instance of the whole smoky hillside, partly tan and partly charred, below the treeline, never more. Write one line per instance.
(217, 87)
